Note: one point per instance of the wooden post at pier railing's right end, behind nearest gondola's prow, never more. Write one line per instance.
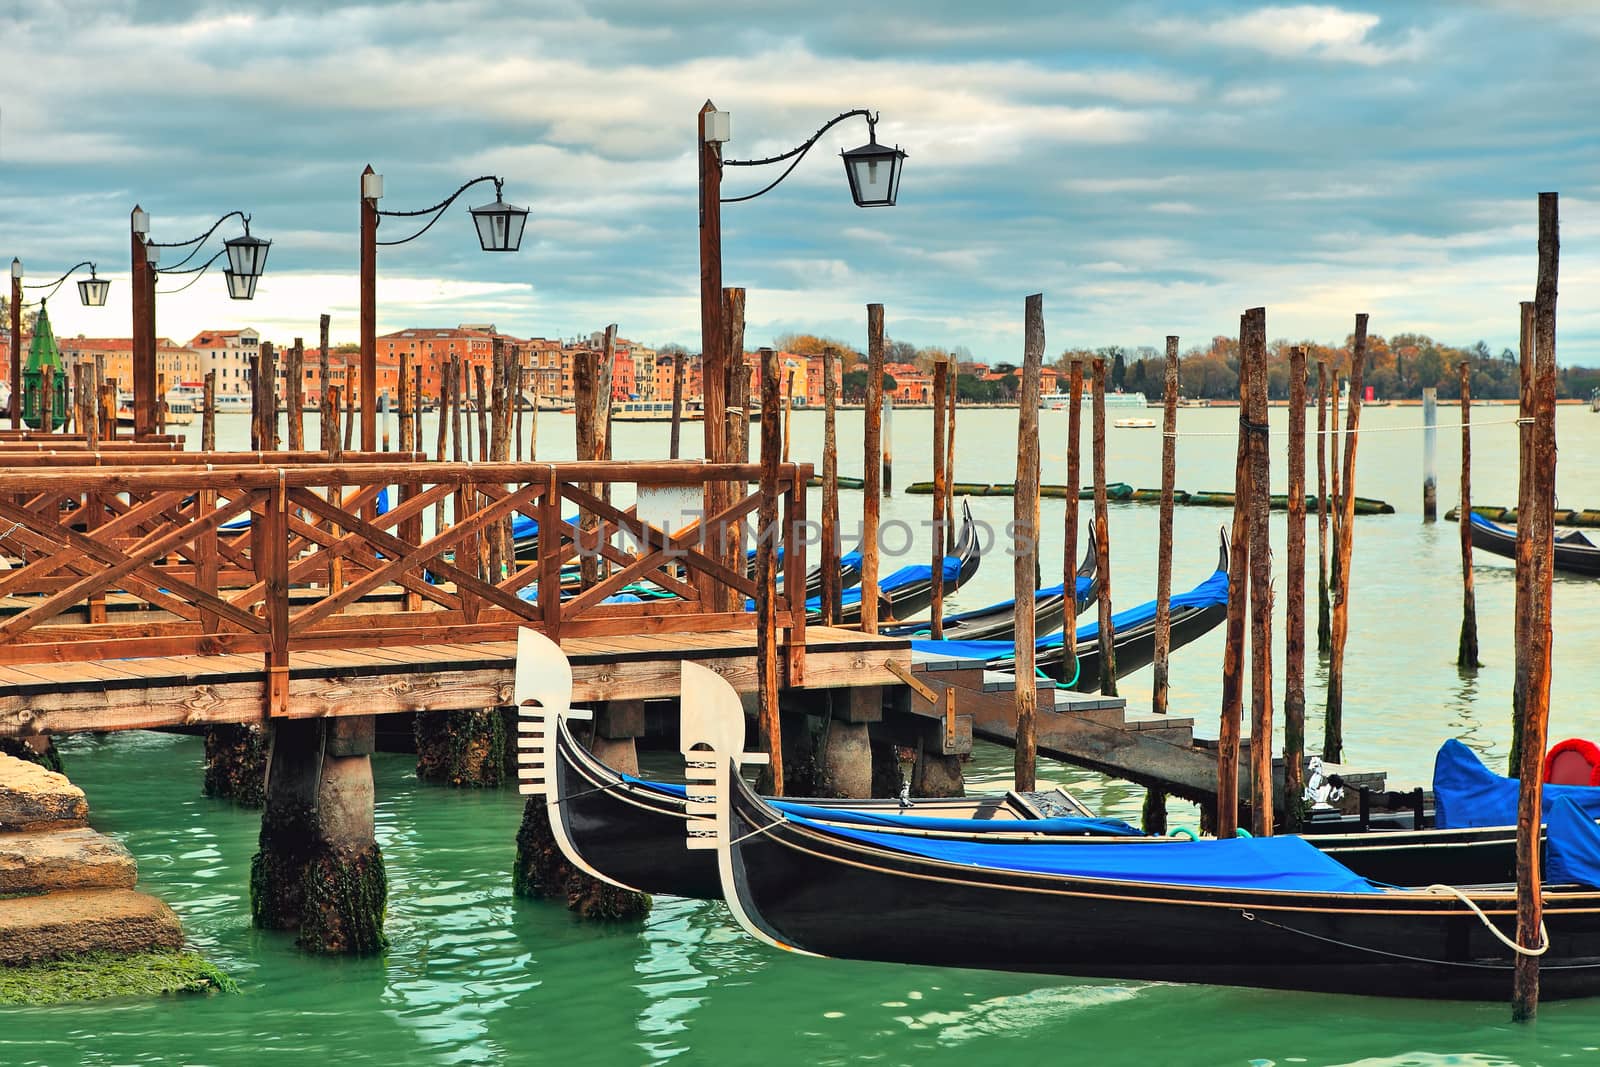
(769, 730)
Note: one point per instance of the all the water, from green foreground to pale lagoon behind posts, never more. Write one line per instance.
(478, 977)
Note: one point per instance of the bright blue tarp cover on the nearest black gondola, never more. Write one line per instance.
(1282, 865)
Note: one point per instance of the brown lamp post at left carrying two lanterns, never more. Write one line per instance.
(247, 258)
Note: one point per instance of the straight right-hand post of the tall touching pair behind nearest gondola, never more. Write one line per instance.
(1260, 583)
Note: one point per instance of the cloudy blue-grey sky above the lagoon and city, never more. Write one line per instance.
(1151, 167)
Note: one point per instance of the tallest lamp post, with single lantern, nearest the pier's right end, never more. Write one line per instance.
(873, 172)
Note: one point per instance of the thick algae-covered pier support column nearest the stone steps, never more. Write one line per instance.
(319, 869)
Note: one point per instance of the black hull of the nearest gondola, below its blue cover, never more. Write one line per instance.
(815, 892)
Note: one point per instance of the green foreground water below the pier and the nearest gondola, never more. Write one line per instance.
(479, 977)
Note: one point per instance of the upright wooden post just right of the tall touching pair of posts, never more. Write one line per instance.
(1295, 581)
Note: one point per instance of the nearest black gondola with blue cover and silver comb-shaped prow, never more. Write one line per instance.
(1158, 913)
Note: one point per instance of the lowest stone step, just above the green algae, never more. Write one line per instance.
(86, 921)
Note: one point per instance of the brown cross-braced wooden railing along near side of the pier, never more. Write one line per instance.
(287, 557)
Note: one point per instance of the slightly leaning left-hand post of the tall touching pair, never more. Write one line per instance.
(1238, 586)
